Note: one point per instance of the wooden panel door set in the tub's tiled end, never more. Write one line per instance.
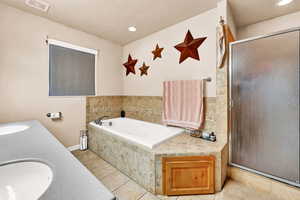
(188, 175)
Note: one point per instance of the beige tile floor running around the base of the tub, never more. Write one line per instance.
(126, 189)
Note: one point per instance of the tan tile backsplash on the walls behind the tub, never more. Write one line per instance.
(146, 108)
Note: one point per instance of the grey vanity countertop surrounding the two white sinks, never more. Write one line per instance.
(71, 181)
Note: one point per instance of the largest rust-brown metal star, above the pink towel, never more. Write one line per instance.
(189, 48)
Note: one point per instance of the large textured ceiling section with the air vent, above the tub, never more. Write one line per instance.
(110, 19)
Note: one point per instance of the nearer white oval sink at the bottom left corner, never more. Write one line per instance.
(26, 180)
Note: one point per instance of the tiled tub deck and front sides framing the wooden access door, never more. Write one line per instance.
(144, 165)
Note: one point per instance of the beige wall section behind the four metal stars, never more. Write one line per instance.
(168, 68)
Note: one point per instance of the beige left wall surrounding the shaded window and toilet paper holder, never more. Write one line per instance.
(24, 72)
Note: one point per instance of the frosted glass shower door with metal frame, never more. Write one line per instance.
(264, 105)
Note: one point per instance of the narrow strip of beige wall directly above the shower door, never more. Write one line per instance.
(270, 26)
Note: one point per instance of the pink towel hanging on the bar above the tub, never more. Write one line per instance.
(183, 103)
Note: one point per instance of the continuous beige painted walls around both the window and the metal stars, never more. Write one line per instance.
(24, 67)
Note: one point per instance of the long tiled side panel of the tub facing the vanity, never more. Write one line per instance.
(129, 158)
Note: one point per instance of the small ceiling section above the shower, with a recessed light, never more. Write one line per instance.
(252, 11)
